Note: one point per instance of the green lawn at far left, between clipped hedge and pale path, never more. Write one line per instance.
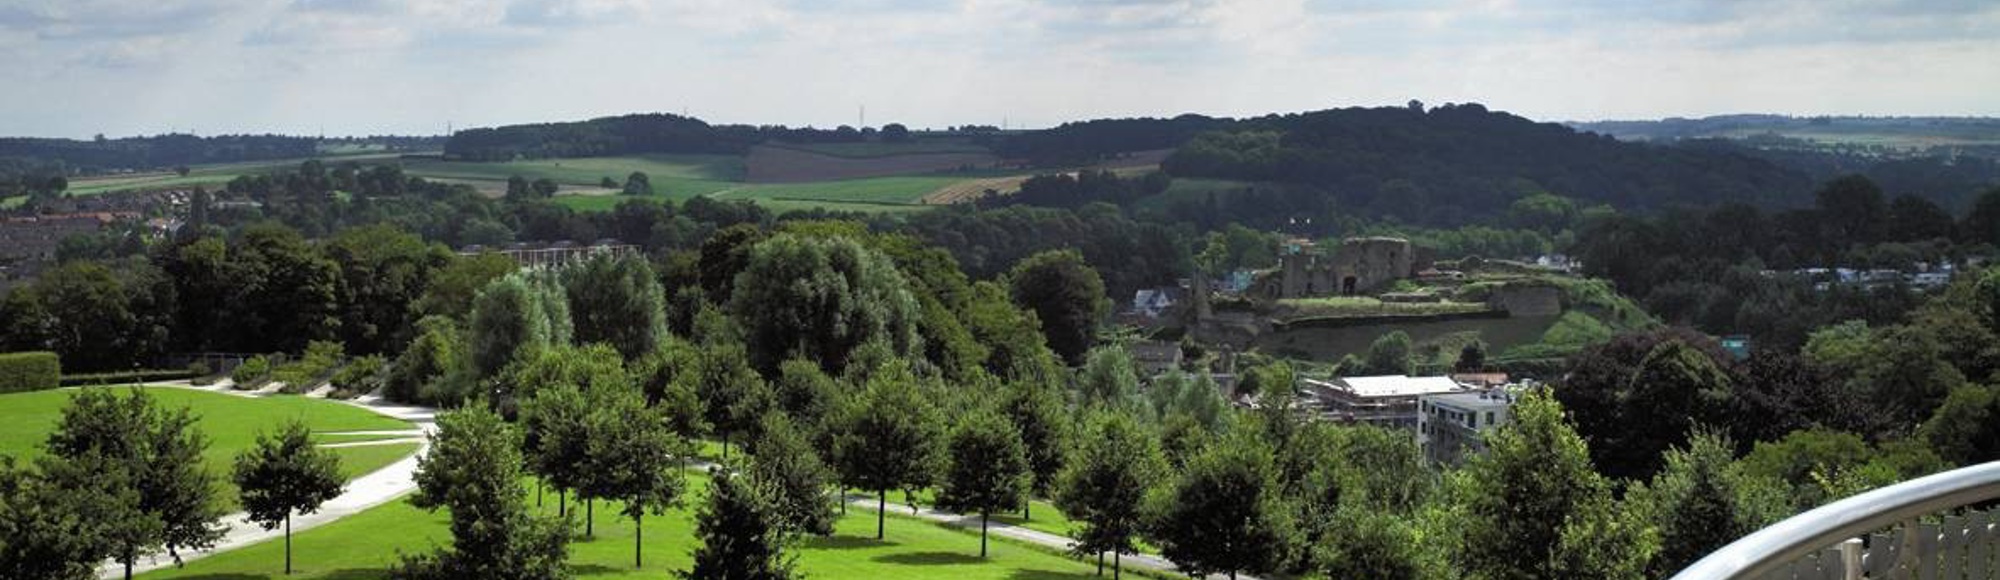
(231, 425)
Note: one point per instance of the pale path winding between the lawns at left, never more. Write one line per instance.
(365, 493)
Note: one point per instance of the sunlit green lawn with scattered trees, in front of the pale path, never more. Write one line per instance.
(363, 545)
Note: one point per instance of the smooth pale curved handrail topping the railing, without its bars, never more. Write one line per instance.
(1797, 537)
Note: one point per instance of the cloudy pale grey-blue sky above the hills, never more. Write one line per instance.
(419, 67)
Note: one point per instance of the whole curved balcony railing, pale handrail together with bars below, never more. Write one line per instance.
(1827, 543)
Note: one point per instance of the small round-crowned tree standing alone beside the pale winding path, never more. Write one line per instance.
(285, 475)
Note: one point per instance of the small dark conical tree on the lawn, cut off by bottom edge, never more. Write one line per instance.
(743, 537)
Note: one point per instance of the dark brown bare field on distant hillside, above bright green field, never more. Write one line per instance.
(769, 165)
